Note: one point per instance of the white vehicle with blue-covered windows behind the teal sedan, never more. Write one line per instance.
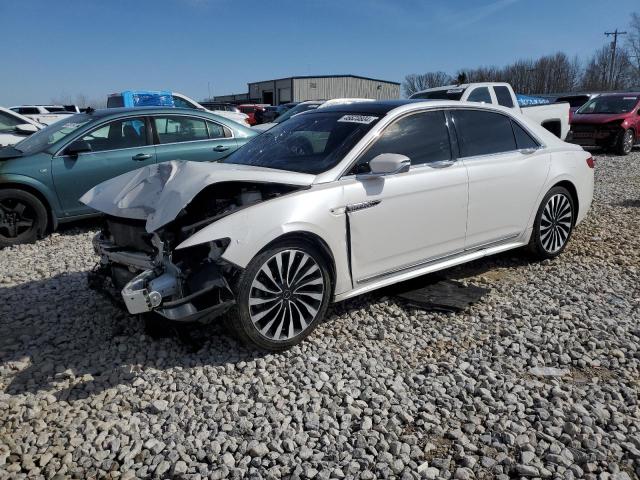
(166, 98)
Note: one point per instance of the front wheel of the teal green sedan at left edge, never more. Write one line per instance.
(23, 217)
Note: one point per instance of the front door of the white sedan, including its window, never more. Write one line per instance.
(401, 221)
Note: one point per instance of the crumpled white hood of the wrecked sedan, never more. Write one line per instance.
(157, 193)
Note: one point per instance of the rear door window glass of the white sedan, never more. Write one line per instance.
(483, 133)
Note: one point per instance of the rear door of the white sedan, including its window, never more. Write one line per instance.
(507, 170)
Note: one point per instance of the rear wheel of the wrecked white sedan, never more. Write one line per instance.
(553, 224)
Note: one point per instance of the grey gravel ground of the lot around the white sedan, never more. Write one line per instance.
(539, 379)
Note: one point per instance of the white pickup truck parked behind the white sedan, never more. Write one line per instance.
(552, 116)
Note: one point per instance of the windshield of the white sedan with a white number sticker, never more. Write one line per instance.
(311, 143)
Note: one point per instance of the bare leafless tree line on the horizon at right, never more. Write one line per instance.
(556, 73)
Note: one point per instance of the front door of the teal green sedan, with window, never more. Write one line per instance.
(117, 147)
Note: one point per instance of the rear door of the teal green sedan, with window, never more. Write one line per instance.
(193, 138)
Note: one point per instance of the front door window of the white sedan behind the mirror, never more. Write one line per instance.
(423, 137)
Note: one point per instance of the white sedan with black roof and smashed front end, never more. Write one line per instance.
(334, 203)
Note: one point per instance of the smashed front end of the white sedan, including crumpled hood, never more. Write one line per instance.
(148, 214)
